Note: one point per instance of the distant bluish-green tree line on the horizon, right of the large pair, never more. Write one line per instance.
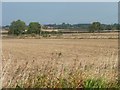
(86, 26)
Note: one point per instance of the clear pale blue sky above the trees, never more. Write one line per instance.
(59, 12)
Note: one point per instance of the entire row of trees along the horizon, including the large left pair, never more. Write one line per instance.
(19, 27)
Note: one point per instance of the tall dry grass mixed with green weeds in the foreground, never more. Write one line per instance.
(56, 74)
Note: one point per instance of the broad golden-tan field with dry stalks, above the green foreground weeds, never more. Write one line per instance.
(25, 58)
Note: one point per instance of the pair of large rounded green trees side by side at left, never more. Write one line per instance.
(19, 27)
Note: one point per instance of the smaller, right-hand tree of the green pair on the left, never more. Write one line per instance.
(34, 27)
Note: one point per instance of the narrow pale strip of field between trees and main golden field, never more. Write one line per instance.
(110, 35)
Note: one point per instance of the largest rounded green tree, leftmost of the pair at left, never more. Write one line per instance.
(17, 27)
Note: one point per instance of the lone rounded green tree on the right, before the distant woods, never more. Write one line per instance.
(95, 27)
